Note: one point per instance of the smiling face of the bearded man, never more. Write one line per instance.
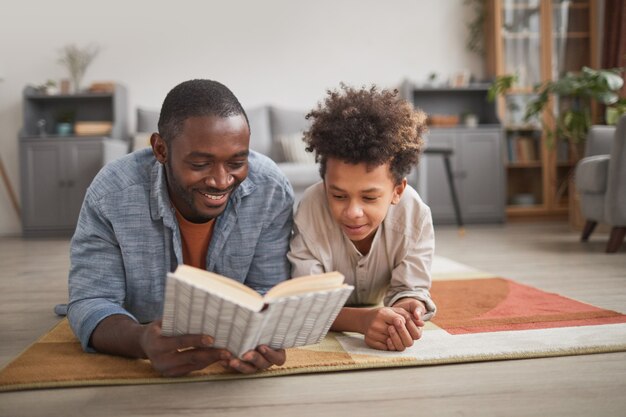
(205, 164)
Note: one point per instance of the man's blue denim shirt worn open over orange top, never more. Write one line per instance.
(127, 239)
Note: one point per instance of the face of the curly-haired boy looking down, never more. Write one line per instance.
(359, 197)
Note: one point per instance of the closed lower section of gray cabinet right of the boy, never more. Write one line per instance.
(477, 170)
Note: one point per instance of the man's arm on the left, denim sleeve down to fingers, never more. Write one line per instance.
(97, 293)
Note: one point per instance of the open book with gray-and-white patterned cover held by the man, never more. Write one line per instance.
(295, 312)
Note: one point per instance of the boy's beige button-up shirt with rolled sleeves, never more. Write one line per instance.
(397, 265)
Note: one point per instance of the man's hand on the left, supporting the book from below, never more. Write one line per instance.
(179, 355)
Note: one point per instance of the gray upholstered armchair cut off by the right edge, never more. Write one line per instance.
(600, 178)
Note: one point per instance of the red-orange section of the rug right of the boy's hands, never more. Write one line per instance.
(498, 304)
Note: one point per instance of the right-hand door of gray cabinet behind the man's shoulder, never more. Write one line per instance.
(83, 160)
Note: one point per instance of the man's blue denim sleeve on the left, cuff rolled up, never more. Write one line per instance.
(97, 285)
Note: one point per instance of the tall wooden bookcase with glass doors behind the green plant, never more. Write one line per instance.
(539, 40)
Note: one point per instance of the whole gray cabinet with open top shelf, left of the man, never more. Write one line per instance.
(56, 170)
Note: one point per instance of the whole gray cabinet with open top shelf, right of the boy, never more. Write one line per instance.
(477, 163)
